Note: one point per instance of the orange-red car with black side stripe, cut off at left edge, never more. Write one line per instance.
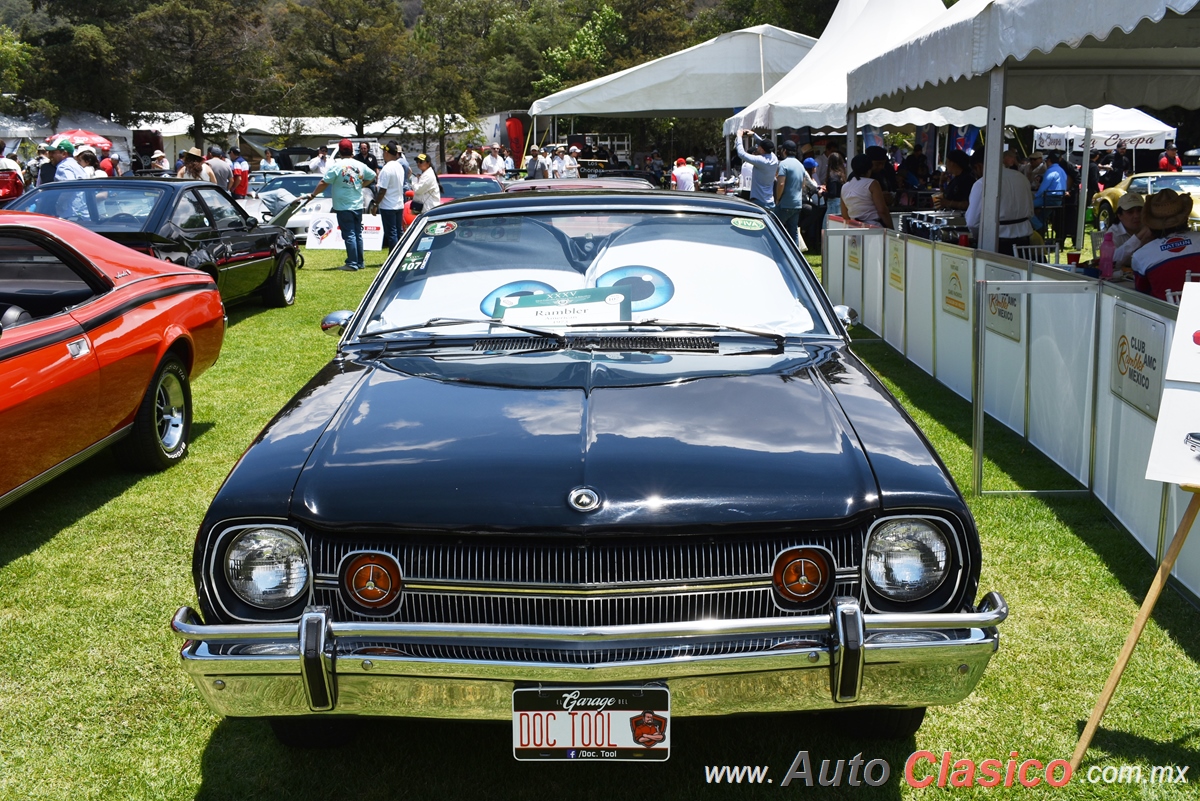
(99, 346)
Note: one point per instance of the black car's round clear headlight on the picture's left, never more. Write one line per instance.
(267, 568)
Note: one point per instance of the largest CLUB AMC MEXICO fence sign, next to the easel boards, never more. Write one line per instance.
(1138, 346)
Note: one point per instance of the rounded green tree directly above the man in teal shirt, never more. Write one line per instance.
(350, 56)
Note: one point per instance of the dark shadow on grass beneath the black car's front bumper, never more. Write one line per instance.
(457, 760)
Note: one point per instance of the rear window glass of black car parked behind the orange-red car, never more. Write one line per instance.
(101, 208)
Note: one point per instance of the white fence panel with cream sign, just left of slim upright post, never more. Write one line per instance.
(953, 300)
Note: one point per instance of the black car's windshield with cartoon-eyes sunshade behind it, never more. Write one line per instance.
(604, 269)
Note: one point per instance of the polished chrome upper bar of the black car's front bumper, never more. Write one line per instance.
(993, 611)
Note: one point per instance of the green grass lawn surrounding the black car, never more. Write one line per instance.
(94, 706)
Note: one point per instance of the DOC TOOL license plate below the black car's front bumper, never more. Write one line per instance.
(614, 724)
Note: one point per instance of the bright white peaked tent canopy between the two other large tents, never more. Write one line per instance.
(814, 94)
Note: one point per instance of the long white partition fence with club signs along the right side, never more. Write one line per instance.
(1093, 356)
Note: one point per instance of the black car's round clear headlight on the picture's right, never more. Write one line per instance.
(907, 559)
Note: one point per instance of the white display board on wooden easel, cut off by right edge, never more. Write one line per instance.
(1175, 454)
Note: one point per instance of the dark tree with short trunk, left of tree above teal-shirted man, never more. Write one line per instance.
(209, 57)
